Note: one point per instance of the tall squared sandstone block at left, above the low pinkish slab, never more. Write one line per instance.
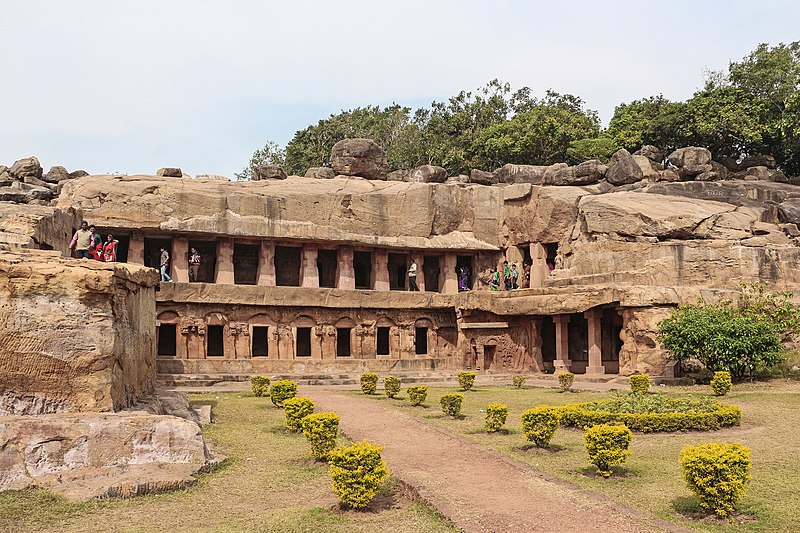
(74, 335)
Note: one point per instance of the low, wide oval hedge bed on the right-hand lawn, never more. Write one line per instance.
(653, 412)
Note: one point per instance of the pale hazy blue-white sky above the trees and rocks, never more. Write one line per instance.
(133, 86)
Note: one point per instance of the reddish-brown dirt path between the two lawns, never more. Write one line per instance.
(478, 489)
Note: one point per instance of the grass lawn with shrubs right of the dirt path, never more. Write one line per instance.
(651, 480)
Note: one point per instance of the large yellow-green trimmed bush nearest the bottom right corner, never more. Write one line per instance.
(717, 473)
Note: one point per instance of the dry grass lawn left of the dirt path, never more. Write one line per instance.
(268, 484)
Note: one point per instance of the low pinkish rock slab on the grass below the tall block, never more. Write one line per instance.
(101, 455)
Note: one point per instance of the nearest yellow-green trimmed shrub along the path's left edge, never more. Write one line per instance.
(357, 472)
